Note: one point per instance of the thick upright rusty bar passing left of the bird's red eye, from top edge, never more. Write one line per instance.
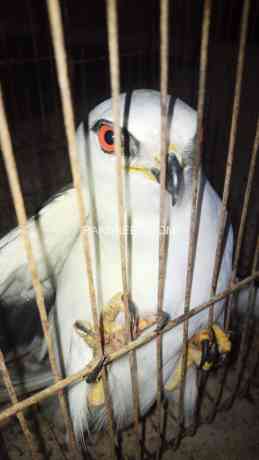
(65, 92)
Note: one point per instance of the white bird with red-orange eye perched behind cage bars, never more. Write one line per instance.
(58, 248)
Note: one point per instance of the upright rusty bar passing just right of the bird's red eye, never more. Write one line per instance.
(112, 24)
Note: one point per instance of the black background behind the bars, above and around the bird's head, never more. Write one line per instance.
(28, 77)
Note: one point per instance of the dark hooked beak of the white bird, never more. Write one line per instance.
(174, 177)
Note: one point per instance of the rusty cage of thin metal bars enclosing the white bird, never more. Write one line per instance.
(66, 67)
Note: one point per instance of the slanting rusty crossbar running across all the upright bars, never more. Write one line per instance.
(56, 387)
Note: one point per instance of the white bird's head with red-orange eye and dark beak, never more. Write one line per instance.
(141, 131)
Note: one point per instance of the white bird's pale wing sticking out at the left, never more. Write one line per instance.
(52, 233)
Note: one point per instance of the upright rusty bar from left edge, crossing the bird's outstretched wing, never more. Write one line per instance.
(14, 182)
